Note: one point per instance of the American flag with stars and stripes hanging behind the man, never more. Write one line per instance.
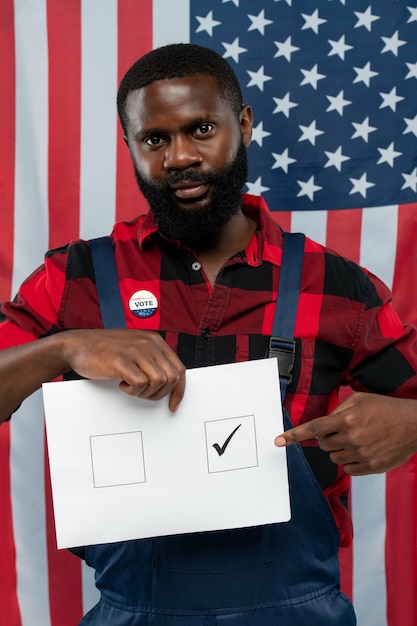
(333, 85)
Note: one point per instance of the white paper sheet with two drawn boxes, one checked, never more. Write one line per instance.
(126, 468)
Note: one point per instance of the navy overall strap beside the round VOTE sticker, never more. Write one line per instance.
(107, 283)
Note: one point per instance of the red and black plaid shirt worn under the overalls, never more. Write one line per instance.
(346, 330)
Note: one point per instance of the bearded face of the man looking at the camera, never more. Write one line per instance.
(189, 151)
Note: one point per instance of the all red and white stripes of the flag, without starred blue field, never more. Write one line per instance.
(65, 172)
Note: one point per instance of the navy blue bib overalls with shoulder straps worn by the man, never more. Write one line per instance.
(275, 575)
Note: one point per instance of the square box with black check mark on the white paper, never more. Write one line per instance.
(231, 444)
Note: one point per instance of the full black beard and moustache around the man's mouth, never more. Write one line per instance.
(197, 227)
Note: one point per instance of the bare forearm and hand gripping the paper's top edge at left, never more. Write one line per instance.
(141, 360)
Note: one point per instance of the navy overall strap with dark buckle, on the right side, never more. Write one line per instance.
(282, 343)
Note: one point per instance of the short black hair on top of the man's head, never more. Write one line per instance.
(176, 61)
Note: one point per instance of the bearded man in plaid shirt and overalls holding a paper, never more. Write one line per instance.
(211, 259)
